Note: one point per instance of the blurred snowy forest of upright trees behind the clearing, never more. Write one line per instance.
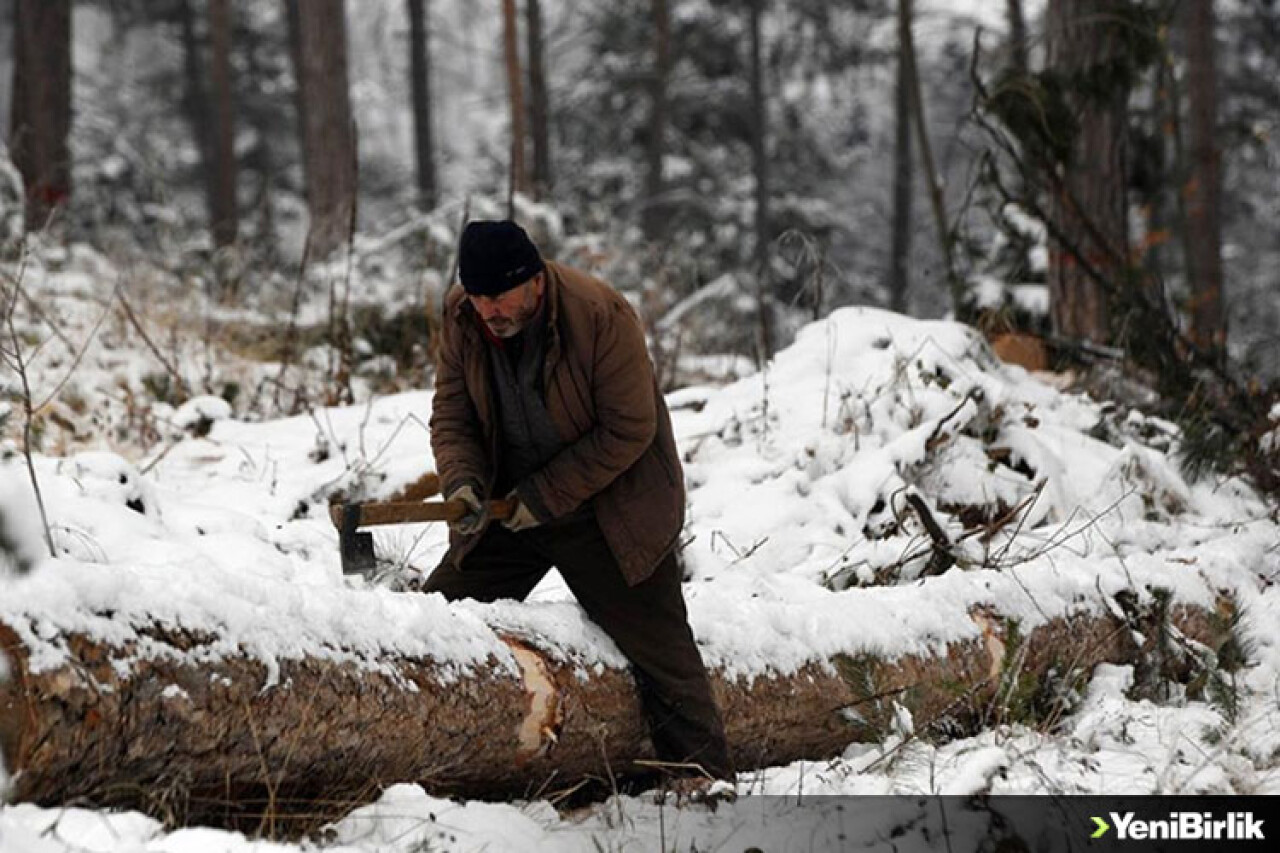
(801, 154)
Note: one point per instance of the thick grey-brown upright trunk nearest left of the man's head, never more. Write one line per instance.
(327, 129)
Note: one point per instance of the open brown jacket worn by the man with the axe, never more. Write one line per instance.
(605, 400)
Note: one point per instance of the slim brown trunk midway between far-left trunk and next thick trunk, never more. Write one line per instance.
(225, 220)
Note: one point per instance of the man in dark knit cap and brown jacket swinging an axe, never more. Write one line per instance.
(545, 394)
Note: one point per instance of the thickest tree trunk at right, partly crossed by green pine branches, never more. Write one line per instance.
(1089, 206)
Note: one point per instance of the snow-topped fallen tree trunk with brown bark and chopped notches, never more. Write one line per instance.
(198, 738)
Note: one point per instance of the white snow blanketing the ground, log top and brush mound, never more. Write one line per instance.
(801, 546)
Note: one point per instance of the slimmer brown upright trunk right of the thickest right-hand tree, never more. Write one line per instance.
(1205, 185)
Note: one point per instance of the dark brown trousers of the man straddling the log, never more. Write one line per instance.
(648, 622)
